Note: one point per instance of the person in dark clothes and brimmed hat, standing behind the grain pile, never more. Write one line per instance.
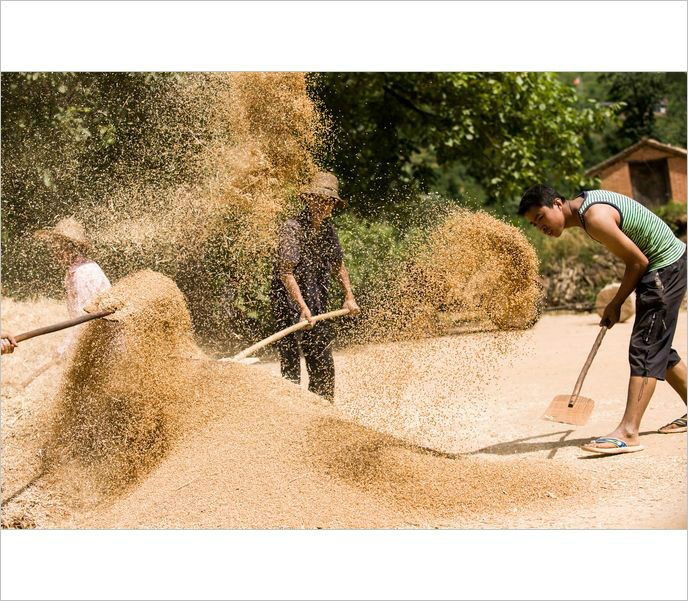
(308, 255)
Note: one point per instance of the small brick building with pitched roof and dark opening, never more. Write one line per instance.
(649, 171)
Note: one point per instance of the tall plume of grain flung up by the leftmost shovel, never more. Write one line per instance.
(120, 408)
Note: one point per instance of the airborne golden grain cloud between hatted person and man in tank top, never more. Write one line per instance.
(474, 268)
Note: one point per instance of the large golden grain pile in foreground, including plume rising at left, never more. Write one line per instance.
(147, 432)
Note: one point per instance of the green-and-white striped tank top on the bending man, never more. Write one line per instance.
(650, 234)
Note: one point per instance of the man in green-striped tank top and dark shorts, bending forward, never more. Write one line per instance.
(655, 268)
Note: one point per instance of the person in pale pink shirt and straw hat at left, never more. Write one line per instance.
(84, 278)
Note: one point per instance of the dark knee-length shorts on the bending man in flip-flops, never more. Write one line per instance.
(657, 301)
